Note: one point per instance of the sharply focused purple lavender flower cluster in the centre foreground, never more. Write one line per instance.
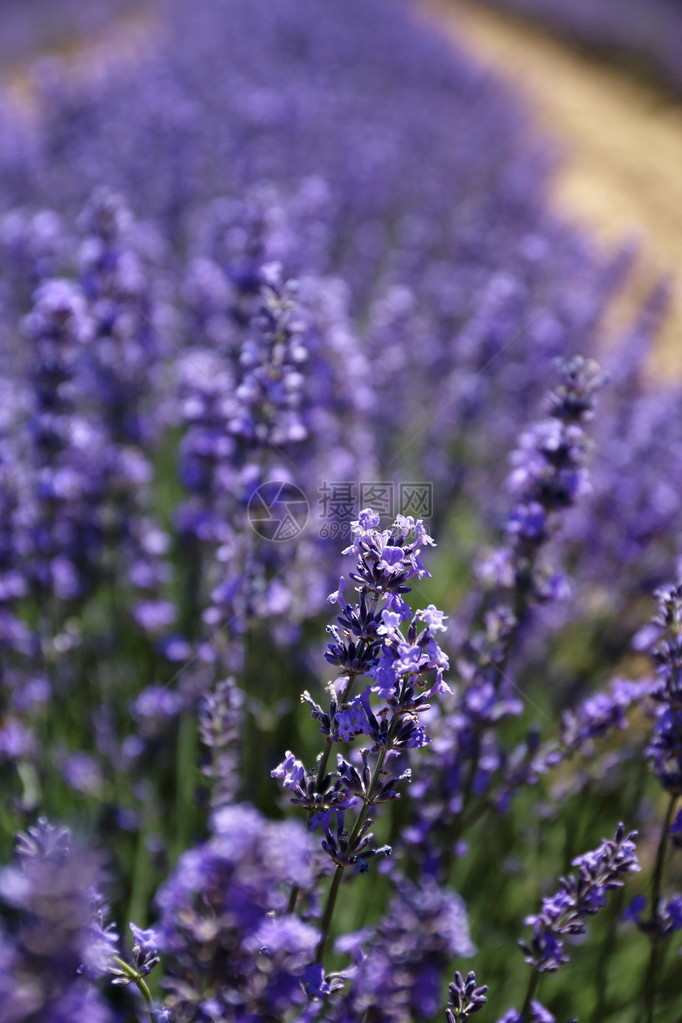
(405, 669)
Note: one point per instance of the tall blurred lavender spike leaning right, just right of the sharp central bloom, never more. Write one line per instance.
(550, 474)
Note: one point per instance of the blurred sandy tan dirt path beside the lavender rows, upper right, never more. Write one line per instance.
(623, 139)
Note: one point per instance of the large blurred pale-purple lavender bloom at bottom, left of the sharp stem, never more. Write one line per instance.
(231, 947)
